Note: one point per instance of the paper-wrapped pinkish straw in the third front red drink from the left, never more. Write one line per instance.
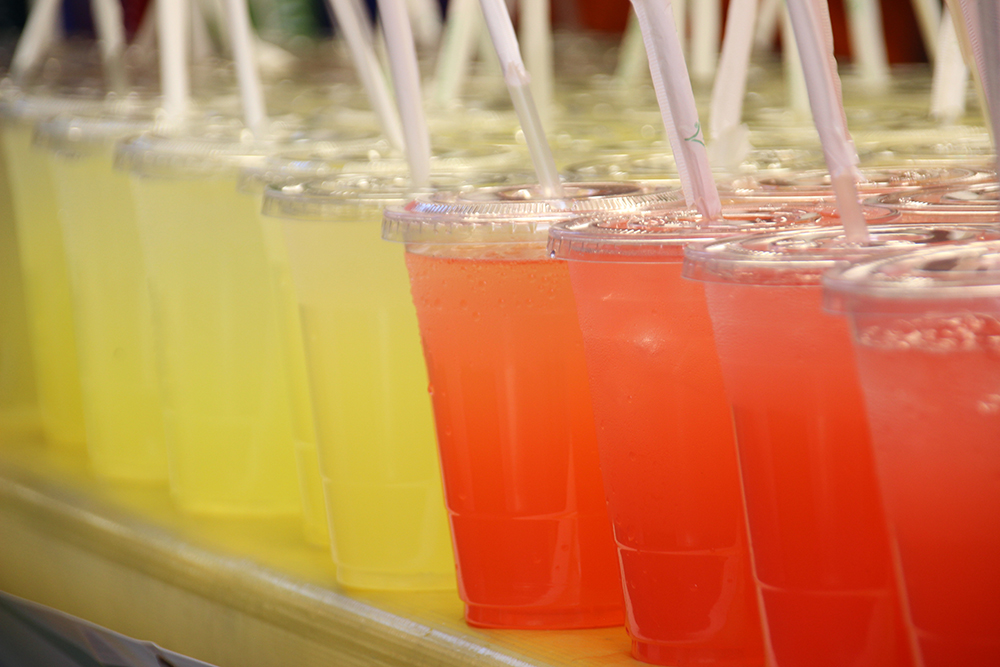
(814, 37)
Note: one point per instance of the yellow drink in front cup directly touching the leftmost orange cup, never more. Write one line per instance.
(377, 450)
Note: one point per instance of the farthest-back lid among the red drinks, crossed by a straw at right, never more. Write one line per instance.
(815, 184)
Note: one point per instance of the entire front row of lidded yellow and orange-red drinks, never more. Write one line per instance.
(270, 353)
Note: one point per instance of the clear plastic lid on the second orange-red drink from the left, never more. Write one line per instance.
(660, 235)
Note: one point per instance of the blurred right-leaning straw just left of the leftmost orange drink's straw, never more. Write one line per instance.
(463, 26)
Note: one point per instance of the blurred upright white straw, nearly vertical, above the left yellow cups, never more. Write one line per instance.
(172, 28)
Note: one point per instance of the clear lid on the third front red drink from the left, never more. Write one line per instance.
(799, 257)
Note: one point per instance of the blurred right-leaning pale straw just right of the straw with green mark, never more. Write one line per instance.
(730, 142)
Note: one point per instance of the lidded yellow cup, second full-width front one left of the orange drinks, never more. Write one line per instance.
(223, 380)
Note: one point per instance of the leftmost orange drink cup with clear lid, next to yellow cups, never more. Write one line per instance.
(508, 383)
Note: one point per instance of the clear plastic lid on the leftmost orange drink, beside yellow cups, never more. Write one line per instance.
(510, 214)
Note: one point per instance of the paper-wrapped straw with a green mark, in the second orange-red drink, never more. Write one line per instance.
(677, 106)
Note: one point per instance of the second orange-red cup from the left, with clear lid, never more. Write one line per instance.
(664, 431)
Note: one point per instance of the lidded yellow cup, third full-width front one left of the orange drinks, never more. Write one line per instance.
(111, 309)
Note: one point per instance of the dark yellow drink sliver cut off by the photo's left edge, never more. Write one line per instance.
(18, 399)
